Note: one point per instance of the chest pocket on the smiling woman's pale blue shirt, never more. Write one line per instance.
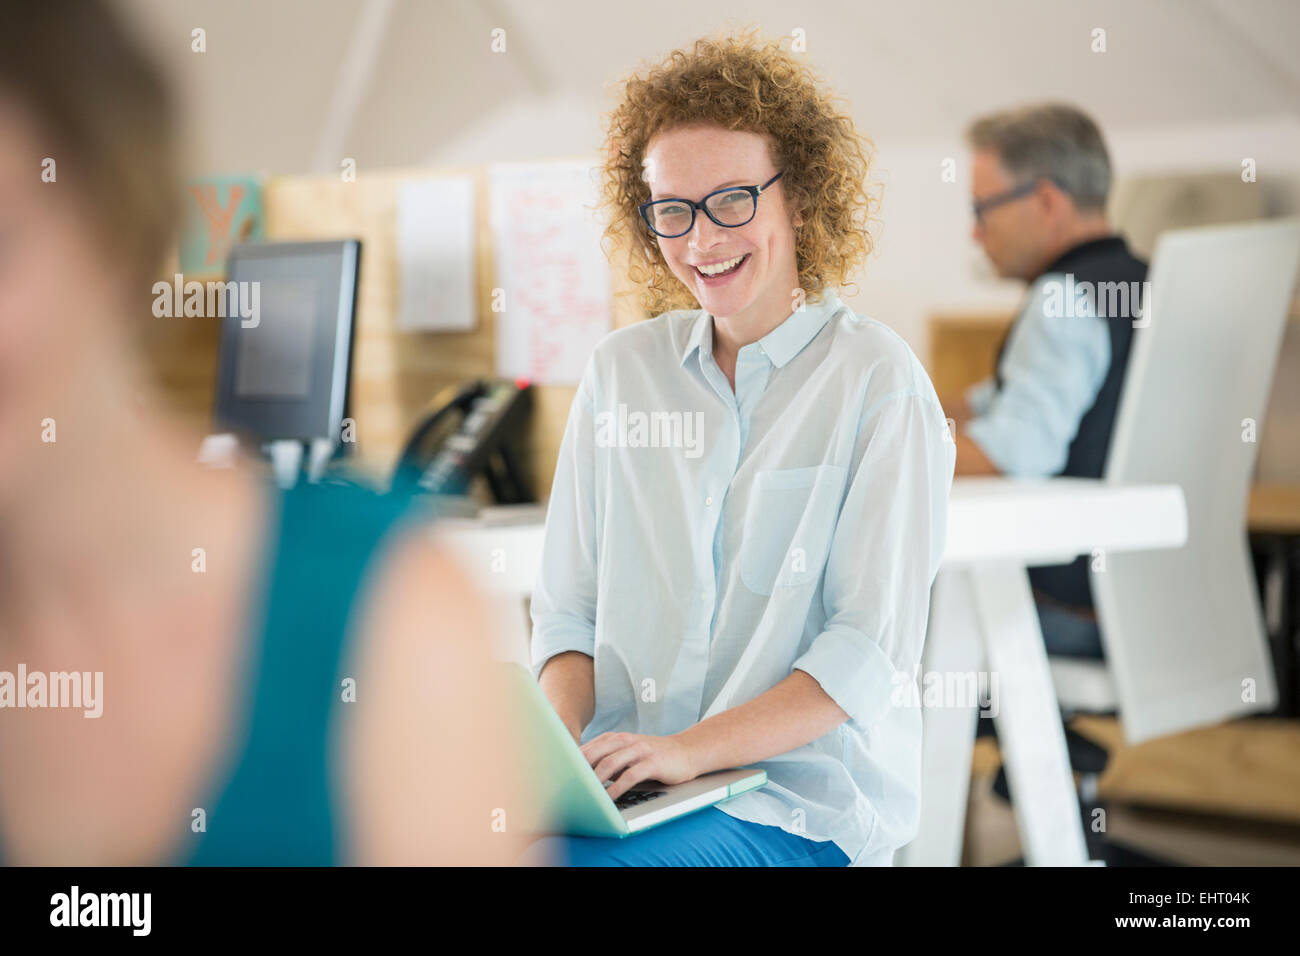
(788, 526)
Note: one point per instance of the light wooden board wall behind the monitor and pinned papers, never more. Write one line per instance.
(396, 375)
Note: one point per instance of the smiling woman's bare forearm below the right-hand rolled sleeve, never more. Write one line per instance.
(794, 713)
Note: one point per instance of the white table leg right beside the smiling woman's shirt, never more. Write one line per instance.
(954, 648)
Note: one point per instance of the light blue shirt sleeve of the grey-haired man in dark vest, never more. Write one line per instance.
(1054, 369)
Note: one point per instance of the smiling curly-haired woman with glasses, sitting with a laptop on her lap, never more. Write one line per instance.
(757, 595)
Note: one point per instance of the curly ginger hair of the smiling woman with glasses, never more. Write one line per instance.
(736, 84)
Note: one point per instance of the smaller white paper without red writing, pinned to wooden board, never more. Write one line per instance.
(436, 254)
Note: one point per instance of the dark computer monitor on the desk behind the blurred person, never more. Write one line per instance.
(287, 341)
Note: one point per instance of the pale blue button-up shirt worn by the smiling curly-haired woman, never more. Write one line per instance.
(703, 544)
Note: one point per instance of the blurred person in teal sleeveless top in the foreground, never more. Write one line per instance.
(222, 736)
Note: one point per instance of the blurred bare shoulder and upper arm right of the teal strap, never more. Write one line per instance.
(428, 710)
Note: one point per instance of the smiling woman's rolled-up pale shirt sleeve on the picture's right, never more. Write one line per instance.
(885, 555)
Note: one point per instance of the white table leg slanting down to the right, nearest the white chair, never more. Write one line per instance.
(1029, 719)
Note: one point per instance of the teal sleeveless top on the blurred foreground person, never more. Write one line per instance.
(272, 801)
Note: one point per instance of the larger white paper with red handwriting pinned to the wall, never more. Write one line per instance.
(554, 280)
